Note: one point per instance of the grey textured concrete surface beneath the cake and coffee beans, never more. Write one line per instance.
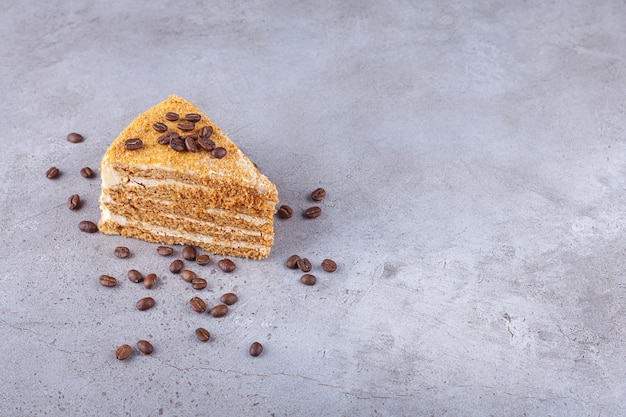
(474, 158)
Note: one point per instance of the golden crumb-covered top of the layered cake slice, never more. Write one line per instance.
(227, 162)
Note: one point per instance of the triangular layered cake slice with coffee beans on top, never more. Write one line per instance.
(172, 176)
